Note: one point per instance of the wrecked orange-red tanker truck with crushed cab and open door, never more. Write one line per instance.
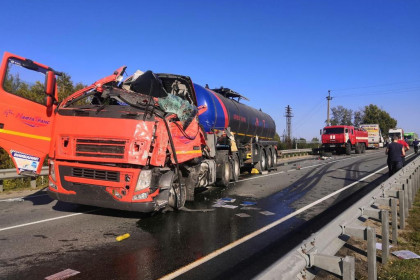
(143, 143)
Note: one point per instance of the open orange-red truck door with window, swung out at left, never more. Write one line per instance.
(27, 92)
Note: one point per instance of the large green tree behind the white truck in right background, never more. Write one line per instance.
(373, 114)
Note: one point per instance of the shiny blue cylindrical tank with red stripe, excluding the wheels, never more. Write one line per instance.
(223, 111)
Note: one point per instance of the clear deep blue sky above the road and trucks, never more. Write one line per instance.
(276, 53)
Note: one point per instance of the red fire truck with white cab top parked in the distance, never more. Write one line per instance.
(344, 139)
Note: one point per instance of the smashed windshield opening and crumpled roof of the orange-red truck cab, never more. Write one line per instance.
(169, 93)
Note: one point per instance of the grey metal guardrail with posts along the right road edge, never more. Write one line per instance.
(318, 251)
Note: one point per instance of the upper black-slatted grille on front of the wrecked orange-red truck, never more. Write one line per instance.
(100, 148)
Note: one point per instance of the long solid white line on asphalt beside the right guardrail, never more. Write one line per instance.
(218, 252)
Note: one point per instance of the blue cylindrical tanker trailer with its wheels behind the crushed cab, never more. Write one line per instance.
(241, 132)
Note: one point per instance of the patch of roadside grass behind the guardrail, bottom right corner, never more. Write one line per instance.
(409, 239)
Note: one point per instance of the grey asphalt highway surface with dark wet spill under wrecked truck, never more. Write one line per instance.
(162, 243)
